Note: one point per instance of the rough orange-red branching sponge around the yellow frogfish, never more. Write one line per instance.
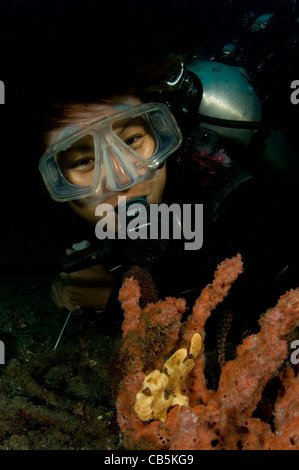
(209, 419)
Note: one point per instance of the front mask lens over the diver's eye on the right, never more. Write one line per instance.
(137, 134)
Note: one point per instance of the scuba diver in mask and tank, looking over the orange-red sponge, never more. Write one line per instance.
(169, 129)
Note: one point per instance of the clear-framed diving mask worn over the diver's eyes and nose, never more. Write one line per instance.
(111, 154)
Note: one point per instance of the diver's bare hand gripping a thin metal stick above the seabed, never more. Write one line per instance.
(88, 288)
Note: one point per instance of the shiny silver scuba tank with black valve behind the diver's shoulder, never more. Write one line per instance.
(222, 102)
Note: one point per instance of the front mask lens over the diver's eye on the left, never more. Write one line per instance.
(77, 162)
